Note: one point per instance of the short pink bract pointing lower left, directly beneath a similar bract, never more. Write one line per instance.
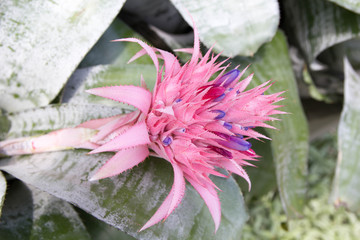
(122, 161)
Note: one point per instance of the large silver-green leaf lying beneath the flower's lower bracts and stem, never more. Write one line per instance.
(128, 200)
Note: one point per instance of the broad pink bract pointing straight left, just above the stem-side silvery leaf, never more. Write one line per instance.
(133, 95)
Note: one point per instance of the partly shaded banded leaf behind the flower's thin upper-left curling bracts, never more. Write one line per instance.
(112, 69)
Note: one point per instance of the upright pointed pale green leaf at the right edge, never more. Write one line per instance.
(347, 176)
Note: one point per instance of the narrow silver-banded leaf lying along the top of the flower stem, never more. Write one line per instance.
(38, 121)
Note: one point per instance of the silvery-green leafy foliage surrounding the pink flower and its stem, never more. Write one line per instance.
(306, 185)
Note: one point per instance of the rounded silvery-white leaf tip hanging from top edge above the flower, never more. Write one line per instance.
(235, 27)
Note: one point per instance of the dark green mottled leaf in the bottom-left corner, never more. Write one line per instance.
(32, 214)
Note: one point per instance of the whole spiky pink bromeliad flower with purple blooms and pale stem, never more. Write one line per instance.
(195, 123)
